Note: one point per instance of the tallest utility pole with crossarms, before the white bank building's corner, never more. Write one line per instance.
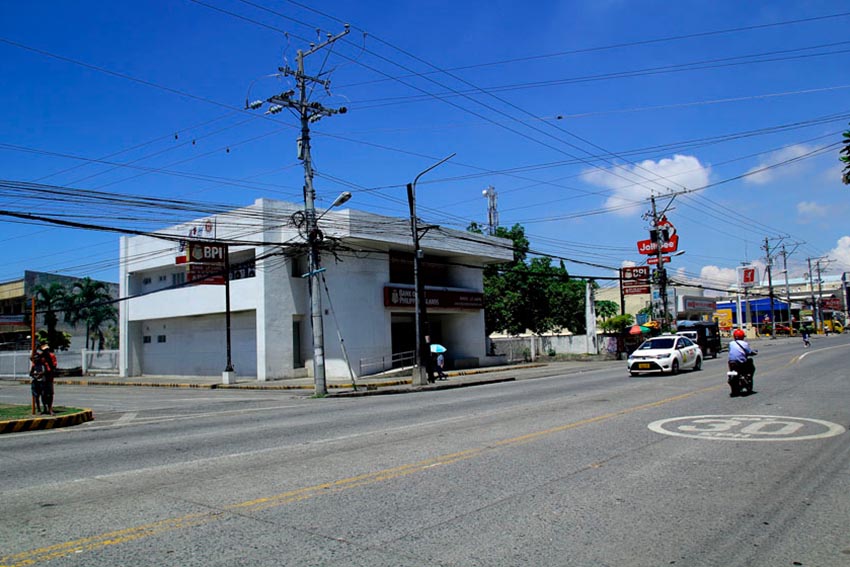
(309, 112)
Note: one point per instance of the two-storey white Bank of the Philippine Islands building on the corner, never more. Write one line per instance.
(168, 330)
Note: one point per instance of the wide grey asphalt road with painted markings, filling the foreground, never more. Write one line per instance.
(590, 469)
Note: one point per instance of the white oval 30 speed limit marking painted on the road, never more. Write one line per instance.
(747, 427)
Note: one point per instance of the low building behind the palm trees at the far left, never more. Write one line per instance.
(16, 305)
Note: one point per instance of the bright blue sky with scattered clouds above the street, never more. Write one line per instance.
(576, 112)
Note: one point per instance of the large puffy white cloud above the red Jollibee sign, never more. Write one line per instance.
(631, 185)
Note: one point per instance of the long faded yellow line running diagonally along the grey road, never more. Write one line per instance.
(117, 537)
